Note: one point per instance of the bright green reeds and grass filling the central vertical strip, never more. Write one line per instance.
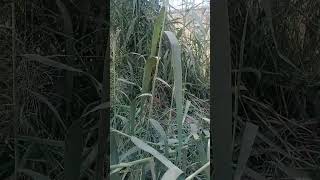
(160, 92)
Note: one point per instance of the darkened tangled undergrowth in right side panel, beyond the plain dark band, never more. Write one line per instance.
(275, 45)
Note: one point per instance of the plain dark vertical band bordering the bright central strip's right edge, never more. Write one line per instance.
(220, 91)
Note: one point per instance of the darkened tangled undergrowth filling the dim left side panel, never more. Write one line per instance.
(52, 80)
